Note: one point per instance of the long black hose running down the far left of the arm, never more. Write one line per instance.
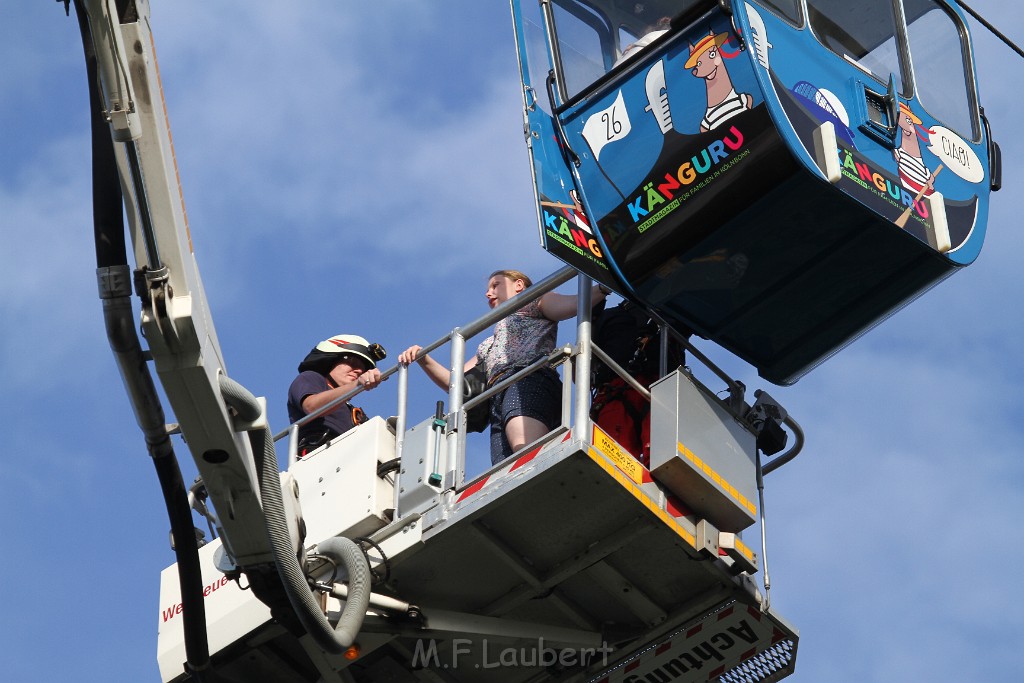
(112, 263)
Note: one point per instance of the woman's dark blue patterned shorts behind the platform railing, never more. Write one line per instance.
(538, 396)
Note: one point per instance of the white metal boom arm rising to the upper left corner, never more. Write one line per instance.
(176, 317)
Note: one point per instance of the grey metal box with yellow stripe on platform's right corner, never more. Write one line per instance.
(702, 453)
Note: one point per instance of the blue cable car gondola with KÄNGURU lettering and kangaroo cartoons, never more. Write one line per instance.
(775, 176)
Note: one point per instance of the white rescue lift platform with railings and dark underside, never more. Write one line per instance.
(570, 561)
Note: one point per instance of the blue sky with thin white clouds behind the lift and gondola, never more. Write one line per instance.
(360, 168)
